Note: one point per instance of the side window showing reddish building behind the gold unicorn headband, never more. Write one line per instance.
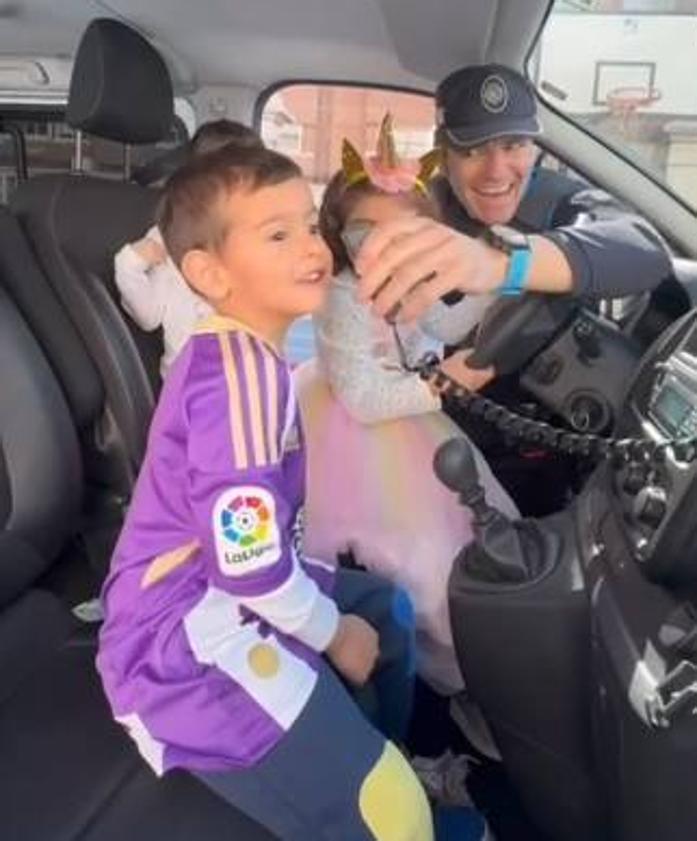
(308, 122)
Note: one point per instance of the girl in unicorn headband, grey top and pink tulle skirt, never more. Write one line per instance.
(373, 427)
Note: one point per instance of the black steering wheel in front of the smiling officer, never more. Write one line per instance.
(516, 329)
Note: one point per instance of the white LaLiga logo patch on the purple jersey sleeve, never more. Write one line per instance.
(245, 529)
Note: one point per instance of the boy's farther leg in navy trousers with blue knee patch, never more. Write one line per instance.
(389, 611)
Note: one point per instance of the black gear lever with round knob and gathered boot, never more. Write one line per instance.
(503, 551)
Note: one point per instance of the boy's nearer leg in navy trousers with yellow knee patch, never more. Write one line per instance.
(331, 778)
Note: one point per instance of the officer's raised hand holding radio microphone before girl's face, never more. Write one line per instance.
(408, 264)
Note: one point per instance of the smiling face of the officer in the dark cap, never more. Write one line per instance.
(490, 179)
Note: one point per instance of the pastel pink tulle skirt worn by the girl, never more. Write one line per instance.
(372, 490)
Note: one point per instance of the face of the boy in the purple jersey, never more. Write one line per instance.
(273, 265)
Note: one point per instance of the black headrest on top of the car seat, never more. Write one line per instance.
(120, 87)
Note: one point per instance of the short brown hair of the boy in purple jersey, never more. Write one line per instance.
(189, 215)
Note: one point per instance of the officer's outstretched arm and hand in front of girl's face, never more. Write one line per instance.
(410, 263)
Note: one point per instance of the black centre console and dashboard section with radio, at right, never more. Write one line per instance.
(585, 660)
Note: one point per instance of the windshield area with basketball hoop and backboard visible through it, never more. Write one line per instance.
(627, 71)
